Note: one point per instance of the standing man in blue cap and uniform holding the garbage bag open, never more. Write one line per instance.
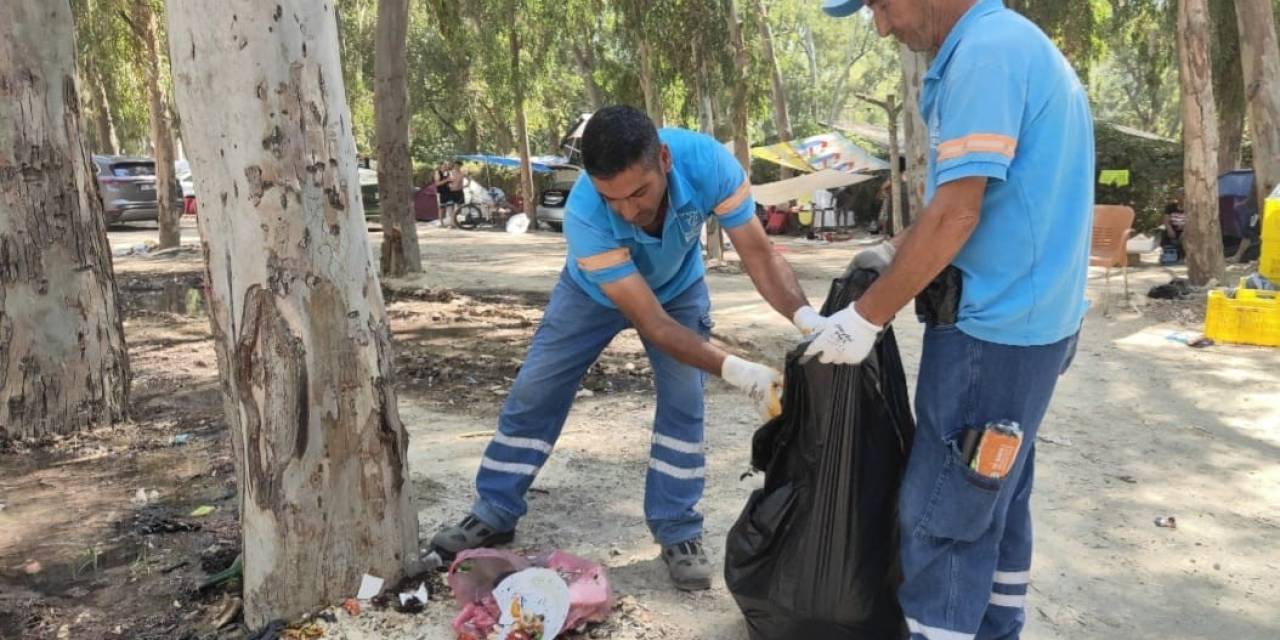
(1009, 204)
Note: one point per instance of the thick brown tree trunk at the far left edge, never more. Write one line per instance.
(63, 363)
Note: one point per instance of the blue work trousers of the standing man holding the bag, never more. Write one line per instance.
(967, 540)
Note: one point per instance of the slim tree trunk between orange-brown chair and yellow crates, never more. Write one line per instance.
(1200, 143)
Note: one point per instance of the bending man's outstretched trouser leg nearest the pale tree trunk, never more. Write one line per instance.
(575, 330)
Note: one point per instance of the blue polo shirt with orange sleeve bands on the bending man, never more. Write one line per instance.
(705, 181)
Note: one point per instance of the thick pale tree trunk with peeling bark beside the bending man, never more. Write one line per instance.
(304, 348)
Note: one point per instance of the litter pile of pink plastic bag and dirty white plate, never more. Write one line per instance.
(483, 578)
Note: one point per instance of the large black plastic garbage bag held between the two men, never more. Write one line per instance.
(816, 552)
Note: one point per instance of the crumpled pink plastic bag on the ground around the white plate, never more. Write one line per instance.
(477, 573)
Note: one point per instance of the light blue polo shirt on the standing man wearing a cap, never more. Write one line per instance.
(1003, 103)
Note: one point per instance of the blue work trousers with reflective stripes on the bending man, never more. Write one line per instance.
(572, 337)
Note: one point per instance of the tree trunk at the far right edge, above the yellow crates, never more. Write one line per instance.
(1260, 58)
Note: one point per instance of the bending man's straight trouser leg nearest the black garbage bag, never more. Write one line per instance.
(678, 467)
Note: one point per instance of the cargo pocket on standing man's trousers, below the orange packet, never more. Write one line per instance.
(962, 505)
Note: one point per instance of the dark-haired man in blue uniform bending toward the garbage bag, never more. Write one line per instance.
(633, 226)
